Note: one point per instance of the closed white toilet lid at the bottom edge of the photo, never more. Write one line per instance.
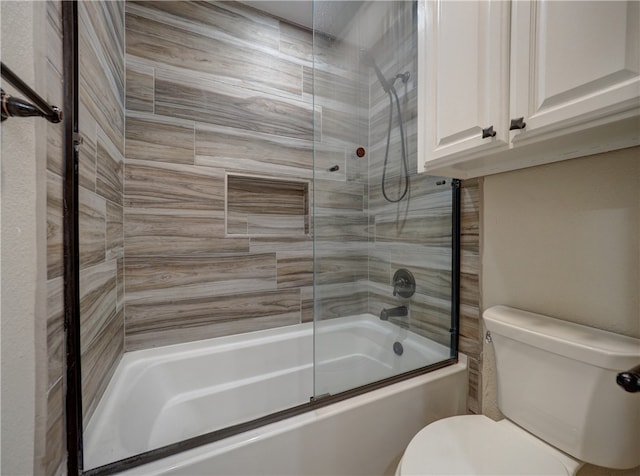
(477, 445)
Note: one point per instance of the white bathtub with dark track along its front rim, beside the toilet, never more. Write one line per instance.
(164, 395)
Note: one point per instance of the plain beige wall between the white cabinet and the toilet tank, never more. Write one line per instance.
(563, 240)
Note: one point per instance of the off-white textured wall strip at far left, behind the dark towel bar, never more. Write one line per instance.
(24, 361)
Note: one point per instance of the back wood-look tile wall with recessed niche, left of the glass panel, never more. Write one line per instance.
(214, 91)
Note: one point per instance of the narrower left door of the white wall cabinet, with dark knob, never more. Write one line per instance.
(465, 78)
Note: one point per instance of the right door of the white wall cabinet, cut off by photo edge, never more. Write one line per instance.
(573, 64)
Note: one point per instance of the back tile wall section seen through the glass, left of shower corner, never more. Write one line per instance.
(341, 224)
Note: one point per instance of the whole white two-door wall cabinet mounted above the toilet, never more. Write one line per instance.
(569, 71)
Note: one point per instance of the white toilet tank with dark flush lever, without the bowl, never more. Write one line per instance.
(557, 380)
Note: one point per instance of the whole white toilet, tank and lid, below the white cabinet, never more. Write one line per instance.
(557, 389)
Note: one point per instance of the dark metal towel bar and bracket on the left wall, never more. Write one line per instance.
(16, 107)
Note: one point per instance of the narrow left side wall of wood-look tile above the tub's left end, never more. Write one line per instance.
(101, 161)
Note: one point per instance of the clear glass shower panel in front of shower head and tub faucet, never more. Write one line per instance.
(383, 249)
